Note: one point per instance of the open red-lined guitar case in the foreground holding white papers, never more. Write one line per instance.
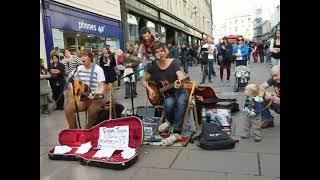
(75, 137)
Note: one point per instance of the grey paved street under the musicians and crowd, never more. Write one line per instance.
(247, 161)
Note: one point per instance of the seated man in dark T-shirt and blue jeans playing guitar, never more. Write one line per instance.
(176, 102)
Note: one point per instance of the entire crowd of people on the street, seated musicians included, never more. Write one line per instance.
(171, 65)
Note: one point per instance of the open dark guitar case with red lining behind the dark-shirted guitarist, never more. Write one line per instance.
(210, 100)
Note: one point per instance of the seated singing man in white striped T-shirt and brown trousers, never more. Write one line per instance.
(92, 75)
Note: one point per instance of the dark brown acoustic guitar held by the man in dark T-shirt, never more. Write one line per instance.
(161, 90)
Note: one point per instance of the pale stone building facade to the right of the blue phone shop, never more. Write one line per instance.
(179, 20)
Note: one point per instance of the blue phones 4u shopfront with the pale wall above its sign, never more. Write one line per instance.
(80, 24)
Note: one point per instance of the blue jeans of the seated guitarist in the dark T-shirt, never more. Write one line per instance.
(175, 106)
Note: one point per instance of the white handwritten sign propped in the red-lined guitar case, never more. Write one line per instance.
(115, 137)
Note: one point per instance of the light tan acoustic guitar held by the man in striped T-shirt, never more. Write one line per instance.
(82, 91)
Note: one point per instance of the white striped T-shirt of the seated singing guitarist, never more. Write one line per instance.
(83, 75)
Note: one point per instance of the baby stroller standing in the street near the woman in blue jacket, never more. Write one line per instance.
(242, 77)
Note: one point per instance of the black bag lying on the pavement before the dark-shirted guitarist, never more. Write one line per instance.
(213, 138)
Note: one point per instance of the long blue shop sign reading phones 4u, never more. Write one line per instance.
(68, 22)
